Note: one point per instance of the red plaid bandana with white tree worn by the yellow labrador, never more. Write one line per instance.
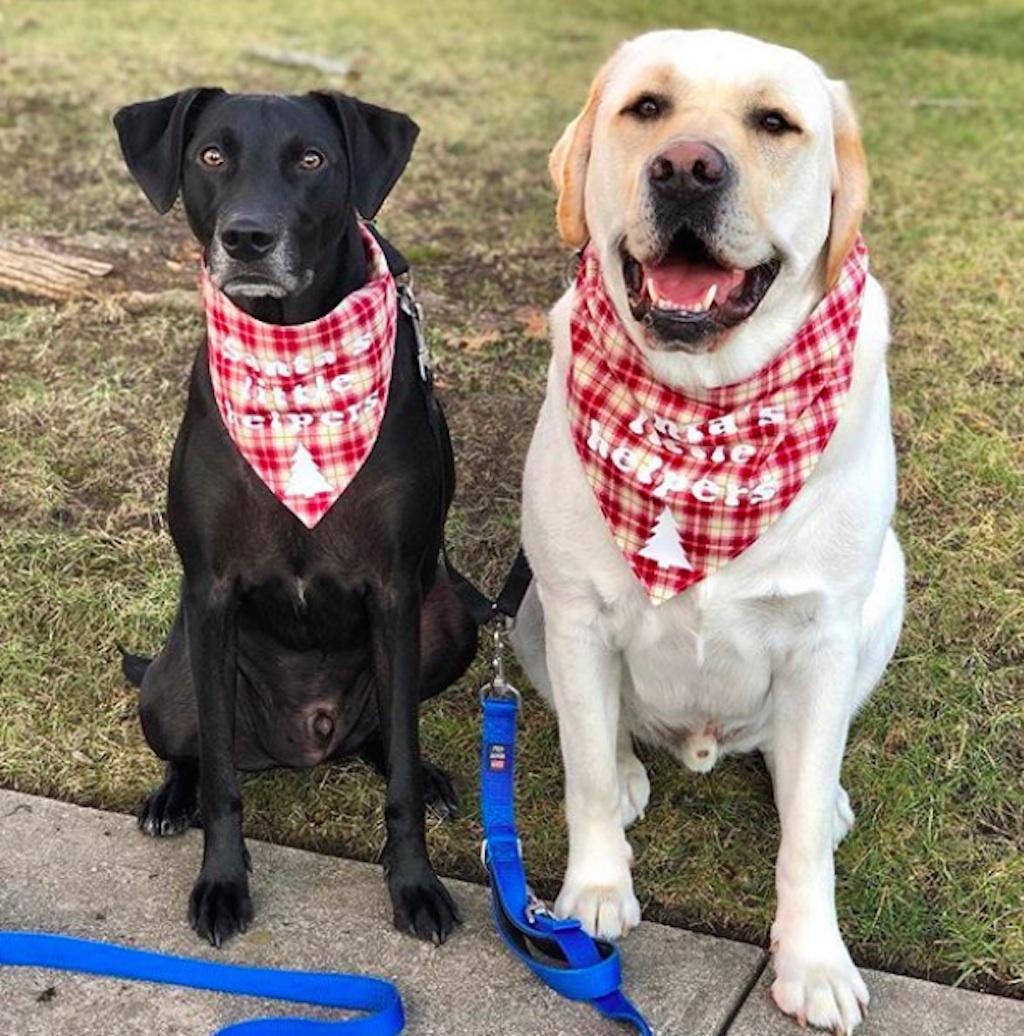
(687, 482)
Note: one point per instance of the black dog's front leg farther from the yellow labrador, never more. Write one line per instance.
(220, 905)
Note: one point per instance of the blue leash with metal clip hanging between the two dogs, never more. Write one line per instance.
(559, 953)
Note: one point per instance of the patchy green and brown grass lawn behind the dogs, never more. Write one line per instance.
(932, 880)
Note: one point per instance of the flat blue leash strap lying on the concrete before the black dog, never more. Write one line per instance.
(323, 989)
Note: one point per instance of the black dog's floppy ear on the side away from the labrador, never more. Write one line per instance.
(153, 135)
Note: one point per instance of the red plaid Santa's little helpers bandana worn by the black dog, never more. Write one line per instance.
(304, 402)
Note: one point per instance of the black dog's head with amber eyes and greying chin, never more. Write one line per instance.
(271, 186)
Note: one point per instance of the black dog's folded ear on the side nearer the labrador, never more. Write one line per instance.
(380, 143)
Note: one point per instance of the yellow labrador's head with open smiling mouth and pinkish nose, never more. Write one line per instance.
(719, 177)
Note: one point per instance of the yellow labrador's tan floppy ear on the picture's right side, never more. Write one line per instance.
(849, 183)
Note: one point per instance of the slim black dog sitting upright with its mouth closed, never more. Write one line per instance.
(294, 646)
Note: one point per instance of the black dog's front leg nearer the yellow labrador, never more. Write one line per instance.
(422, 905)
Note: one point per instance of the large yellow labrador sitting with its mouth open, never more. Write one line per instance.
(720, 183)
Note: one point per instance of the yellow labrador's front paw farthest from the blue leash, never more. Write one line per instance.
(817, 983)
